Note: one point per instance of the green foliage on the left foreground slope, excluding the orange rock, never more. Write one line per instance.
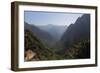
(42, 52)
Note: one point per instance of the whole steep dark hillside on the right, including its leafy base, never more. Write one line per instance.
(77, 34)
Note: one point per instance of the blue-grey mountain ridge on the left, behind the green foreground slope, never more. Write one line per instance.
(44, 36)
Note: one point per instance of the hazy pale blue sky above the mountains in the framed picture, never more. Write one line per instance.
(56, 18)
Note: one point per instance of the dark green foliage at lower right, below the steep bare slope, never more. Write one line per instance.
(80, 50)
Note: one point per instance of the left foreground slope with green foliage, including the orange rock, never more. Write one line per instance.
(35, 50)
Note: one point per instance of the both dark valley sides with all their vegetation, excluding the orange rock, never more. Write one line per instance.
(74, 43)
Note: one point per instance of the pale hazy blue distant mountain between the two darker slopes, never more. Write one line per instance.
(55, 30)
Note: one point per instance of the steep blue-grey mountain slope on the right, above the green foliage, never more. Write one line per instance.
(76, 32)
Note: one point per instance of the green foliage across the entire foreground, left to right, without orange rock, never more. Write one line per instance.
(77, 51)
